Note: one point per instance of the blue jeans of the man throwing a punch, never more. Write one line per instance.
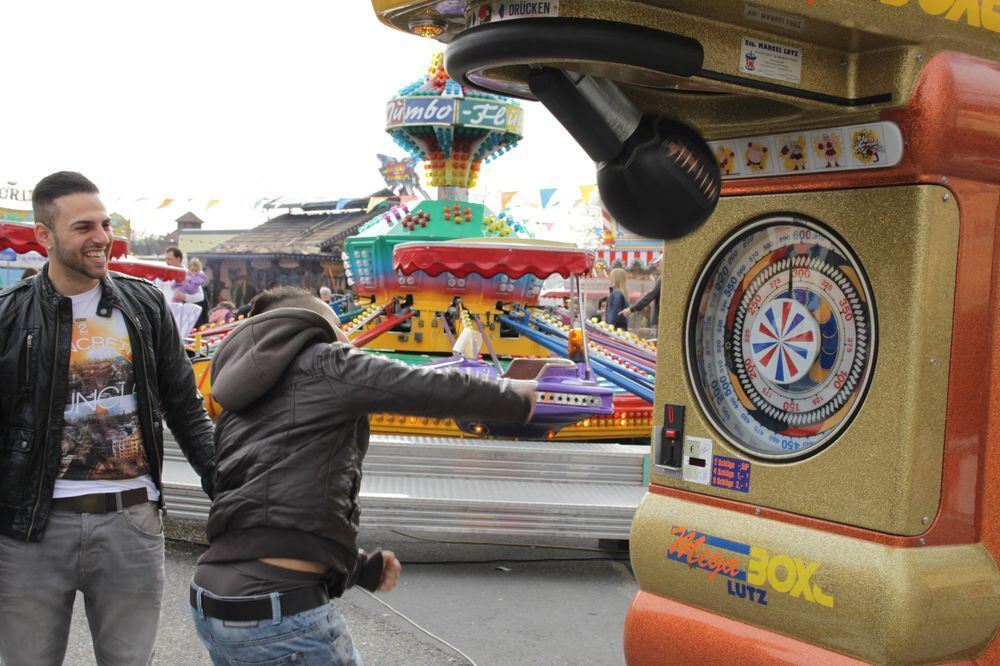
(316, 636)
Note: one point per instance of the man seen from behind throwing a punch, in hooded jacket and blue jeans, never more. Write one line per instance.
(290, 442)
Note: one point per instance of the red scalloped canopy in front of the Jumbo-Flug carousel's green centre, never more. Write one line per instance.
(514, 260)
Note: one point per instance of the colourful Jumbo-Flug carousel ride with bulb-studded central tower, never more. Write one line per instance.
(490, 281)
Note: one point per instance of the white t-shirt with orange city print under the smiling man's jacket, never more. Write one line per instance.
(102, 449)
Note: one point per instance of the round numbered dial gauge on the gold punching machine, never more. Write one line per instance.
(781, 337)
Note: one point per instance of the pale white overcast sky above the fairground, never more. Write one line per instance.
(224, 100)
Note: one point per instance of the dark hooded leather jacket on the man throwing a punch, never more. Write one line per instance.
(294, 432)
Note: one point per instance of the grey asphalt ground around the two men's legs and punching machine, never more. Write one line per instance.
(510, 601)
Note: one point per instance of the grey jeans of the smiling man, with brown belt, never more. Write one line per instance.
(114, 559)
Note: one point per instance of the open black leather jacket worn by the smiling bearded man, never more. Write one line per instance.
(35, 335)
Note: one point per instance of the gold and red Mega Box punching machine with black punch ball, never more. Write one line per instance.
(826, 448)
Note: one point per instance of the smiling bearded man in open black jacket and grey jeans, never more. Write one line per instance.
(90, 364)
